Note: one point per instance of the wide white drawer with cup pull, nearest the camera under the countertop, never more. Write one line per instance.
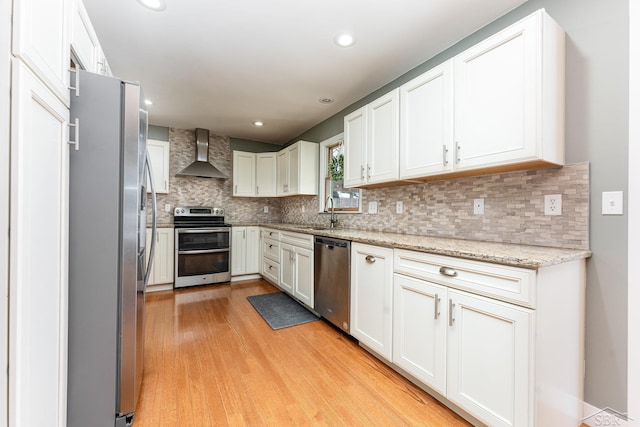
(510, 284)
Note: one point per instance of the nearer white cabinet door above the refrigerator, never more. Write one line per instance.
(84, 42)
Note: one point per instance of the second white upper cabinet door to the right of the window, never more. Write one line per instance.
(383, 138)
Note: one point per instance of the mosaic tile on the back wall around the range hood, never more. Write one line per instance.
(195, 191)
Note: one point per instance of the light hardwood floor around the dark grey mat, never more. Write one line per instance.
(210, 359)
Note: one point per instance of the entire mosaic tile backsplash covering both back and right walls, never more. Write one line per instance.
(514, 202)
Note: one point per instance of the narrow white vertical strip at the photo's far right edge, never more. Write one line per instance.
(633, 396)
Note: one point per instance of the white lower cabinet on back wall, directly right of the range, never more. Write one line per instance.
(245, 250)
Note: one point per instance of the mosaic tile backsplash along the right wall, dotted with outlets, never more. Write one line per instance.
(513, 203)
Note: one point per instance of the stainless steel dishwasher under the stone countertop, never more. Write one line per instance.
(332, 273)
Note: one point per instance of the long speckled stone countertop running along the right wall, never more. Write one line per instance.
(525, 256)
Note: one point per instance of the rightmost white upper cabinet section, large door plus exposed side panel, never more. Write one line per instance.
(509, 96)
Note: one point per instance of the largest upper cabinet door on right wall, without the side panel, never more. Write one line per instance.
(496, 93)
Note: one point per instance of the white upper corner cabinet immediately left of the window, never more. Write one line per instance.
(298, 169)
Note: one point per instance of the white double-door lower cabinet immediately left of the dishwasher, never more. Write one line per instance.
(296, 266)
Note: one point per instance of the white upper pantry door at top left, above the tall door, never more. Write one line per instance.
(41, 40)
